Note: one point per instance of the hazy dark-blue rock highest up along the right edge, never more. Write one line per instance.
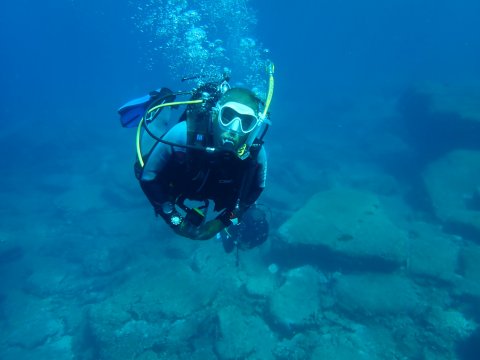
(439, 119)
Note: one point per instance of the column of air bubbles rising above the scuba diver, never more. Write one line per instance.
(203, 37)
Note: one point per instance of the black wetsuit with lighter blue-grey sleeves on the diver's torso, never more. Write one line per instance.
(171, 172)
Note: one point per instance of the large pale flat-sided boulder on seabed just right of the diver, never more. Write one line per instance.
(347, 224)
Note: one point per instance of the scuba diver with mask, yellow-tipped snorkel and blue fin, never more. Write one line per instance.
(214, 152)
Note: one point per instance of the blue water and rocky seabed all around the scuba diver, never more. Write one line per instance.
(373, 187)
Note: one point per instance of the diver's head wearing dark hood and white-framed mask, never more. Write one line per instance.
(237, 121)
